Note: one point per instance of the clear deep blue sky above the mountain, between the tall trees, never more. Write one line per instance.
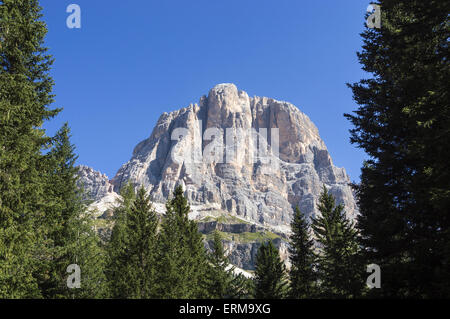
(133, 60)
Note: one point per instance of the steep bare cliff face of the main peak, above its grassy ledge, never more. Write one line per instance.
(264, 191)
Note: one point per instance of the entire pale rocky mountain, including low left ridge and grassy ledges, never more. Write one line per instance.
(241, 161)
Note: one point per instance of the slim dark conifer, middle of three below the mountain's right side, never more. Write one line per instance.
(301, 255)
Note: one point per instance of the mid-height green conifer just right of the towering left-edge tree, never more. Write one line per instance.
(69, 234)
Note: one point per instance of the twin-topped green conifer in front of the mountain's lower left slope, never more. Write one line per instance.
(132, 249)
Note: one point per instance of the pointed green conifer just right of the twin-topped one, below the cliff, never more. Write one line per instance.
(182, 260)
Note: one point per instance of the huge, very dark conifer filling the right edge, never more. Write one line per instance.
(403, 124)
